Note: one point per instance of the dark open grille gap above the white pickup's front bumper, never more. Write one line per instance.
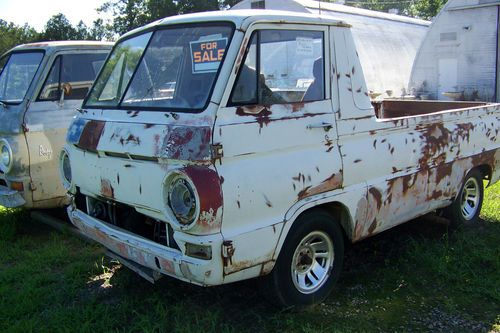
(126, 217)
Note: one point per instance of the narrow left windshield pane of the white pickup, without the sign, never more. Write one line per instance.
(114, 78)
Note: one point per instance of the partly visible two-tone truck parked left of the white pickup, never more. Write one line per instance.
(41, 86)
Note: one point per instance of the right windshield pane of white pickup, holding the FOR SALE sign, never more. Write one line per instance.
(179, 68)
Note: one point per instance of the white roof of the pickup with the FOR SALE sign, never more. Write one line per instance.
(241, 18)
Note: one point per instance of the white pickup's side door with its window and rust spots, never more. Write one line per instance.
(276, 128)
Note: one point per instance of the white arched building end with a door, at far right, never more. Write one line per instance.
(459, 57)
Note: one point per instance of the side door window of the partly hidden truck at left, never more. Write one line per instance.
(73, 74)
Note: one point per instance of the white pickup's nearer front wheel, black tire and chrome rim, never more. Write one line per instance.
(309, 263)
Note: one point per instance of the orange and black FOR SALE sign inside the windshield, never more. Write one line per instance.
(207, 55)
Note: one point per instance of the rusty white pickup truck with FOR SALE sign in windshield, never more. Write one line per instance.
(195, 158)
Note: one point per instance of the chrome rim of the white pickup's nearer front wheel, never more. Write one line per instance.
(312, 262)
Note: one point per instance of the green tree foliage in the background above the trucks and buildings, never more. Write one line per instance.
(130, 14)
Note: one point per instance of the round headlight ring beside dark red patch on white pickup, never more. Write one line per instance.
(180, 179)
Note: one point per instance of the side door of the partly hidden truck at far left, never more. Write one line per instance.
(48, 117)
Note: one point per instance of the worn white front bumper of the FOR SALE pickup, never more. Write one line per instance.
(149, 254)
